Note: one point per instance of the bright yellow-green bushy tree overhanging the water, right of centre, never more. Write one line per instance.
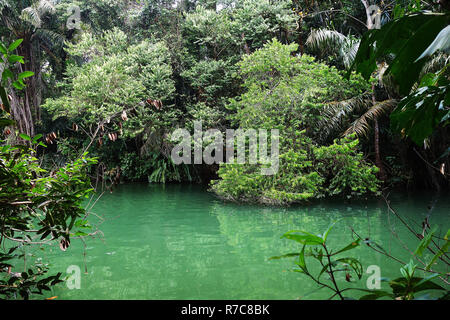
(288, 93)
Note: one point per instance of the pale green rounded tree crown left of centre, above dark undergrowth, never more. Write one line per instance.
(109, 91)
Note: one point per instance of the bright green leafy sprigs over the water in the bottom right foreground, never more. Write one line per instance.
(315, 246)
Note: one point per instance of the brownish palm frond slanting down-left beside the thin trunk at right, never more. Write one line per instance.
(362, 125)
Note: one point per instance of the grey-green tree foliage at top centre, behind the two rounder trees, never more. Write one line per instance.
(215, 41)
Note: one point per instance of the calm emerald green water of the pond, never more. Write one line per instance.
(179, 242)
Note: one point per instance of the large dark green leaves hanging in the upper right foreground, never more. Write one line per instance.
(406, 46)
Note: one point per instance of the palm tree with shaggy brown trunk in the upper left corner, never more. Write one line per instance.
(24, 20)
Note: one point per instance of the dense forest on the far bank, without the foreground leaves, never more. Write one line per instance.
(116, 77)
